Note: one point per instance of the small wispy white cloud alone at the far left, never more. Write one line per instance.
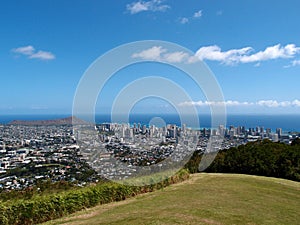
(33, 54)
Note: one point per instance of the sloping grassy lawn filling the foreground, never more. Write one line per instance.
(204, 199)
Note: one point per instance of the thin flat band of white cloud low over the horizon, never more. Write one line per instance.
(262, 103)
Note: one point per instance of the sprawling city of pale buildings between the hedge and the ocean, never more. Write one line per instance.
(29, 153)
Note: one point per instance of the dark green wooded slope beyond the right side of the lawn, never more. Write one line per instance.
(264, 158)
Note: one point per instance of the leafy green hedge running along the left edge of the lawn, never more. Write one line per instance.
(43, 208)
